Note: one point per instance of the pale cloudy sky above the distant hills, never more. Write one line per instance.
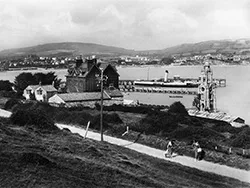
(131, 24)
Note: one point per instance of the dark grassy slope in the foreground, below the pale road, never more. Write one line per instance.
(29, 158)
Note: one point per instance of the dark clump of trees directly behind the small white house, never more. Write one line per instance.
(25, 79)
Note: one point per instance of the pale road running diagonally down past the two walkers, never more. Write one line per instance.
(223, 170)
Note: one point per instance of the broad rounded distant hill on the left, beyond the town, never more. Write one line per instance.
(66, 48)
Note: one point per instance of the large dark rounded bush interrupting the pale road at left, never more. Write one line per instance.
(33, 118)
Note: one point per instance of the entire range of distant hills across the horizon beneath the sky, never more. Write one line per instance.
(74, 48)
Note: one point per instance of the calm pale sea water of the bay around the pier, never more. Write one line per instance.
(234, 99)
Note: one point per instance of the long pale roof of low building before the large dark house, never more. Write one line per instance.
(85, 96)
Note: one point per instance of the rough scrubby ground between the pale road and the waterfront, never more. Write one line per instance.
(207, 137)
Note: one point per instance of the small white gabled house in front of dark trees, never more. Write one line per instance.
(41, 92)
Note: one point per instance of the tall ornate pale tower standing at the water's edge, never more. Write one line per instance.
(206, 89)
